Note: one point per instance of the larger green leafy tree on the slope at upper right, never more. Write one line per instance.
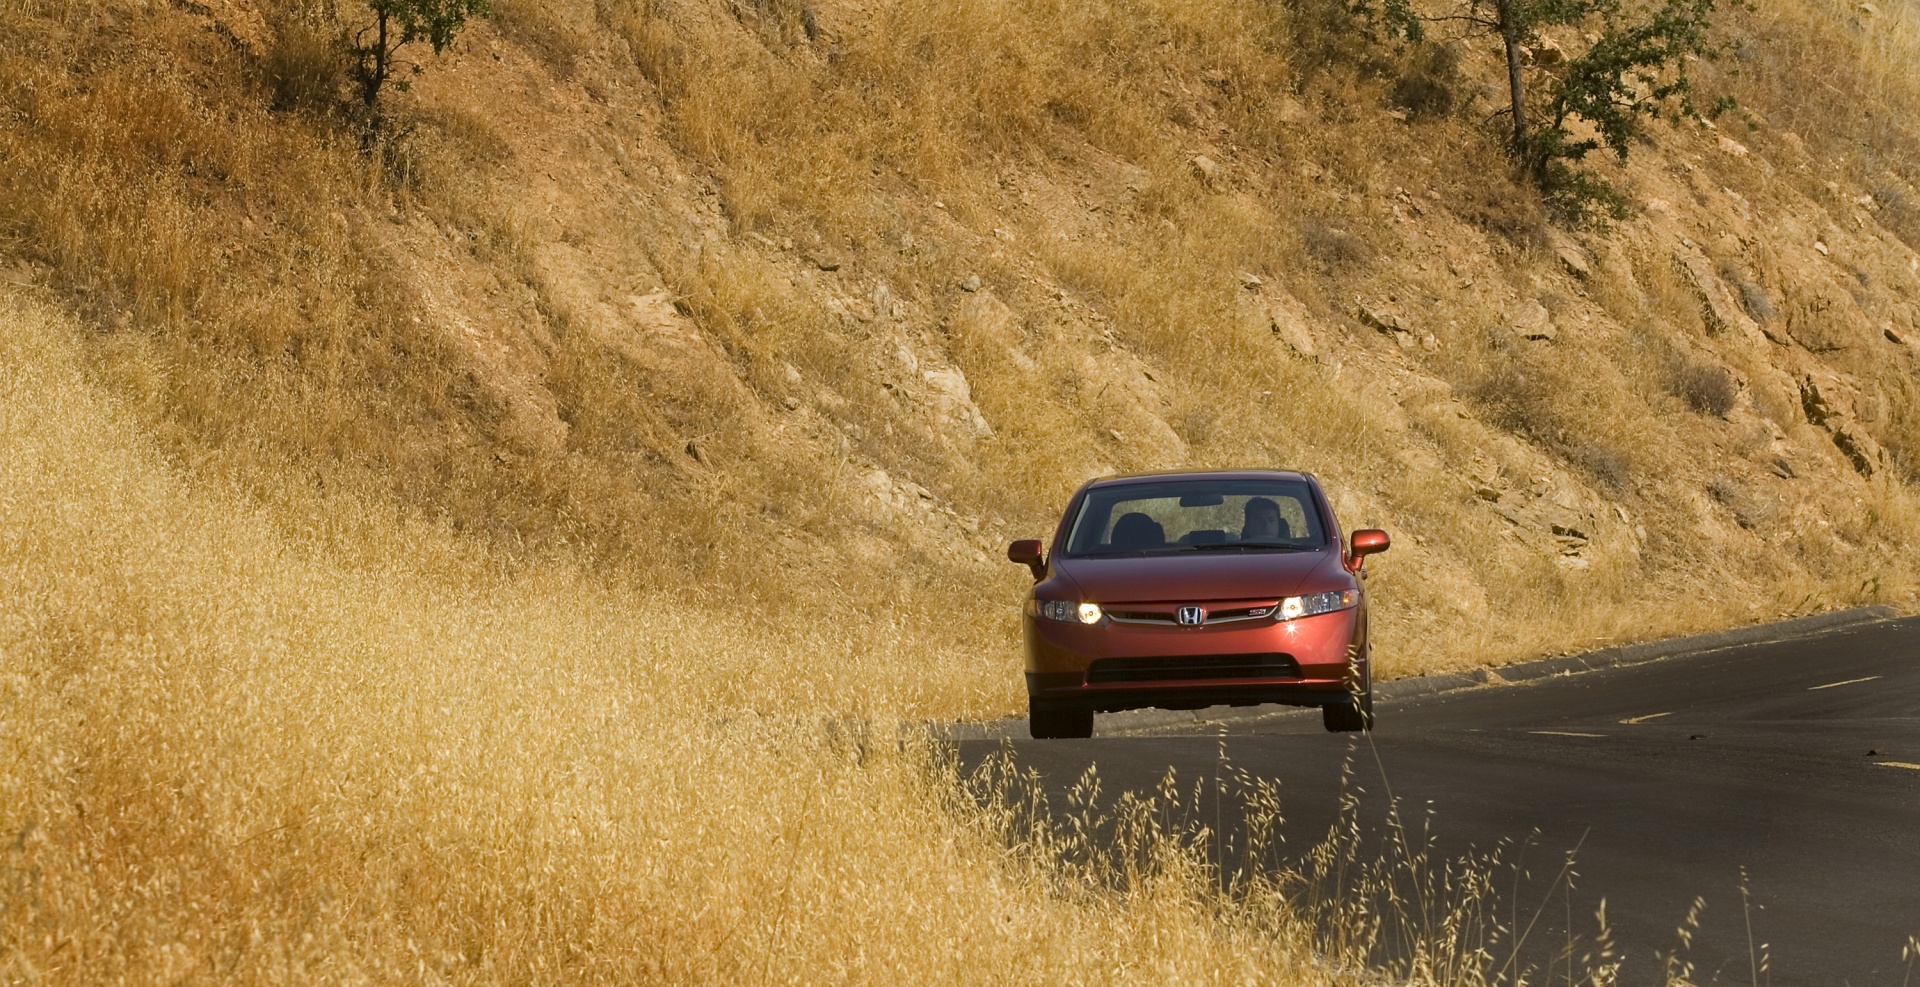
(1635, 70)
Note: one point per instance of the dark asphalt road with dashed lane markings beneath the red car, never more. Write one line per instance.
(1779, 782)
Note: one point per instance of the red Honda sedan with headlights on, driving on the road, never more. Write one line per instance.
(1188, 590)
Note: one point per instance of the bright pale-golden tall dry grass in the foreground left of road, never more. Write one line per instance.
(243, 754)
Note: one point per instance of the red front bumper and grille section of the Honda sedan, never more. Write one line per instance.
(1312, 662)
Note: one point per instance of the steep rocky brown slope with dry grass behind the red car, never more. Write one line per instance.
(819, 306)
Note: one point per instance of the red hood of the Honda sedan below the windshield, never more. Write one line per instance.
(1205, 575)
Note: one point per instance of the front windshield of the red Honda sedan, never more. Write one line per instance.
(1197, 516)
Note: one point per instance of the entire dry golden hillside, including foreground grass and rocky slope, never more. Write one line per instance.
(435, 554)
